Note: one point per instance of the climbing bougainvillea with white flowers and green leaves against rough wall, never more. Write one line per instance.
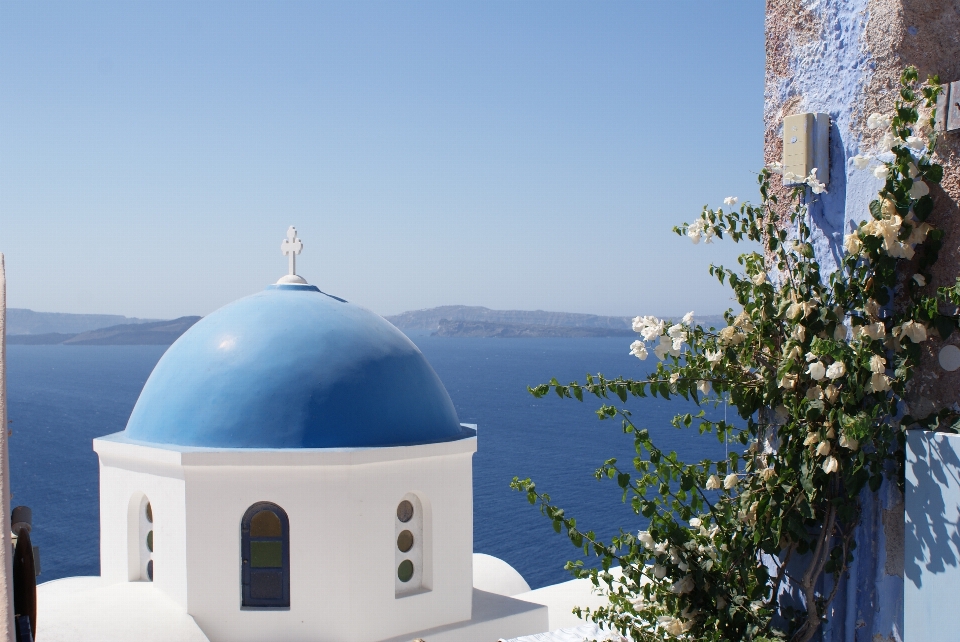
(816, 366)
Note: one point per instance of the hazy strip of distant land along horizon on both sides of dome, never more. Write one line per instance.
(26, 327)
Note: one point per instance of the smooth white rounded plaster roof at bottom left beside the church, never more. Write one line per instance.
(87, 609)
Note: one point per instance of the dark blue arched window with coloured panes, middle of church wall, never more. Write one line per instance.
(265, 556)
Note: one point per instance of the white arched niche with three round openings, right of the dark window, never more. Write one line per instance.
(411, 557)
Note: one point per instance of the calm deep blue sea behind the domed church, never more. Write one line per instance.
(61, 397)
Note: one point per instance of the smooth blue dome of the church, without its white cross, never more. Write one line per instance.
(292, 367)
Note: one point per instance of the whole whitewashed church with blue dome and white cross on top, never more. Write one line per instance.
(293, 470)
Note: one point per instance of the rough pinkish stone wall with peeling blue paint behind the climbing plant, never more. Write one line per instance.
(844, 58)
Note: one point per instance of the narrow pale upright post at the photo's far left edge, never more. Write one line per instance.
(7, 633)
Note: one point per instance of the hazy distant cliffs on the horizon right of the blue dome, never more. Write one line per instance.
(475, 321)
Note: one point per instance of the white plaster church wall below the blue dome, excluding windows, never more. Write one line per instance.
(342, 508)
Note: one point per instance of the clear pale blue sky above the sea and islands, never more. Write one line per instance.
(516, 155)
